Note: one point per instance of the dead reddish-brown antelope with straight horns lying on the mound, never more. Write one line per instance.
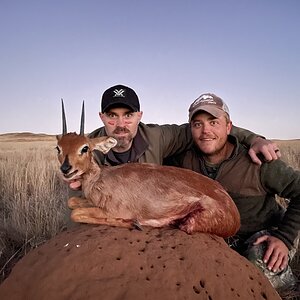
(141, 194)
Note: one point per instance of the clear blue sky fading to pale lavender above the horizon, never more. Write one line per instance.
(169, 51)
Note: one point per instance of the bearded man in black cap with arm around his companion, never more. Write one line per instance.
(138, 142)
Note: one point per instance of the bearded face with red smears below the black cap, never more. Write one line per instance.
(122, 124)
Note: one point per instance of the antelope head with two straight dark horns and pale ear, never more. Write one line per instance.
(75, 152)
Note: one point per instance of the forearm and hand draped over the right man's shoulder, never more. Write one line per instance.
(257, 144)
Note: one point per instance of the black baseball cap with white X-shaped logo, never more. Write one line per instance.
(120, 95)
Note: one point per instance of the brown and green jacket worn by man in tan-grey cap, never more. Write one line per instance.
(253, 189)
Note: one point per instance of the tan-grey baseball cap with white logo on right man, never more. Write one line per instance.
(210, 103)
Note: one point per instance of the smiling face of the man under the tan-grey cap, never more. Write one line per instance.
(210, 133)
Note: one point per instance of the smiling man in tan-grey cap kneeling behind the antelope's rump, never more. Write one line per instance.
(268, 233)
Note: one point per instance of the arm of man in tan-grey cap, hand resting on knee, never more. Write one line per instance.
(283, 180)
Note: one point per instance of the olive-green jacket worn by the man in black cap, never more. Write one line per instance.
(153, 143)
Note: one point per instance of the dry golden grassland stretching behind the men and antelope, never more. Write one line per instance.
(33, 199)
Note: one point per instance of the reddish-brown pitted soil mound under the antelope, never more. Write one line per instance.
(99, 262)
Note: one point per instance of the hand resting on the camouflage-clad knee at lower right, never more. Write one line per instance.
(276, 255)
